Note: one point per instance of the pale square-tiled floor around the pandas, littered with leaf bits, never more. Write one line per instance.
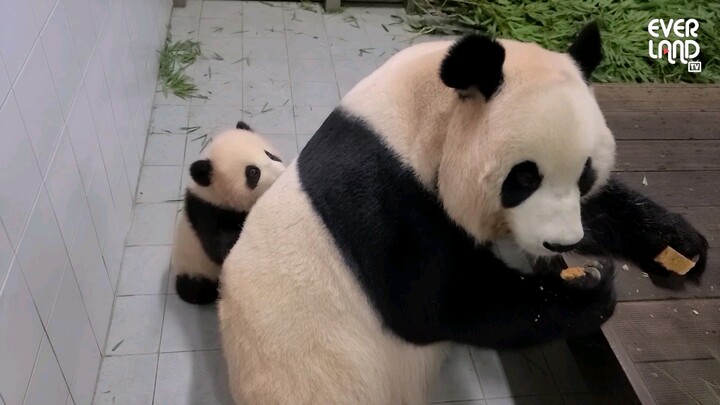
(282, 69)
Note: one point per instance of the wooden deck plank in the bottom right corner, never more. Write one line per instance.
(683, 382)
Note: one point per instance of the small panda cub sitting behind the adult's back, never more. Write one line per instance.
(236, 168)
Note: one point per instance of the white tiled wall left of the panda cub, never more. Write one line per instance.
(77, 81)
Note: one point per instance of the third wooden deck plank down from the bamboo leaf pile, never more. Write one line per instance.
(657, 155)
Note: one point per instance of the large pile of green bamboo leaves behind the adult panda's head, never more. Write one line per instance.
(554, 23)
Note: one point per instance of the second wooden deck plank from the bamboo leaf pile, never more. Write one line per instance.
(641, 125)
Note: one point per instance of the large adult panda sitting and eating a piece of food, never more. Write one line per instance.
(375, 246)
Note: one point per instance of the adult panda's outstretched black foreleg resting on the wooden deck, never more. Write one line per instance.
(622, 222)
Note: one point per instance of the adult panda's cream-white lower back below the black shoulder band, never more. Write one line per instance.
(336, 339)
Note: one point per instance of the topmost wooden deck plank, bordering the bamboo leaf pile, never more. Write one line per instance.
(658, 98)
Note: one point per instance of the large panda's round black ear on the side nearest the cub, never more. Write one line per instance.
(474, 63)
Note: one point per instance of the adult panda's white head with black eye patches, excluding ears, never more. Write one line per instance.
(519, 163)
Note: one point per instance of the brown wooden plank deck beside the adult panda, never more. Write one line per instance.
(668, 338)
